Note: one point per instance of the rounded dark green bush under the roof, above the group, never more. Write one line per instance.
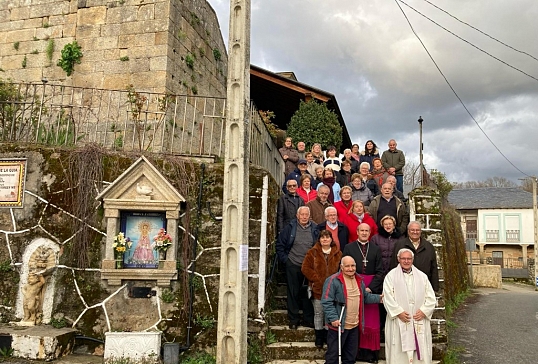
(315, 123)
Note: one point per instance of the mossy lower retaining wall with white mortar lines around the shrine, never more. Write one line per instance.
(81, 297)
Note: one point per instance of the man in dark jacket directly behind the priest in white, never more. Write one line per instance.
(425, 258)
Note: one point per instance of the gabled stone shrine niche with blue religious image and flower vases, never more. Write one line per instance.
(138, 204)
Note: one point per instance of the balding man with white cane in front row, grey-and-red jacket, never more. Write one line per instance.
(343, 298)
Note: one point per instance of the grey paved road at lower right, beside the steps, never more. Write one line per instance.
(498, 326)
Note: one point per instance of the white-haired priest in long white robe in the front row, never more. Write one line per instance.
(409, 300)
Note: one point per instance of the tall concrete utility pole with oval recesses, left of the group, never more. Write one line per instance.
(233, 293)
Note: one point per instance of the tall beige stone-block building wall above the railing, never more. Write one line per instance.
(170, 46)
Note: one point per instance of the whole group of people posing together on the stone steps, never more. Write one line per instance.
(352, 255)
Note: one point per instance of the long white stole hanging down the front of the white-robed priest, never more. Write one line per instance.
(407, 330)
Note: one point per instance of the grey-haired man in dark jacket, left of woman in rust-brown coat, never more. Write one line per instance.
(292, 244)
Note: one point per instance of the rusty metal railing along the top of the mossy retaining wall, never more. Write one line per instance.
(128, 120)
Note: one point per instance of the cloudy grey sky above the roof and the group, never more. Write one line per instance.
(364, 52)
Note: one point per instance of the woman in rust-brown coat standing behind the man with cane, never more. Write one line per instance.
(320, 262)
